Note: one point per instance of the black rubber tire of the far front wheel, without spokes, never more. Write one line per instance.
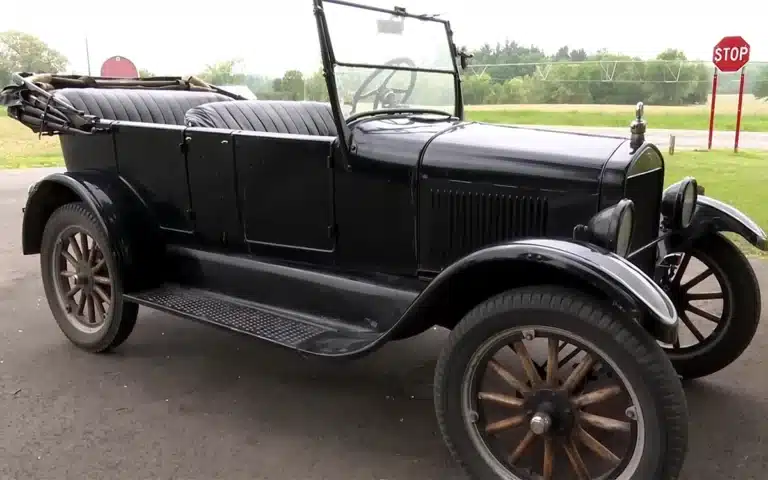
(739, 321)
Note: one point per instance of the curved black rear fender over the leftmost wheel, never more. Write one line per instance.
(133, 234)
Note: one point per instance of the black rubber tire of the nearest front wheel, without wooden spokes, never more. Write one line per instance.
(648, 370)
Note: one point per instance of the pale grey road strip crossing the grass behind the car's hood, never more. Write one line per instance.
(684, 139)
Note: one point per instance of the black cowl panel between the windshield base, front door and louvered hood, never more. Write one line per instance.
(376, 196)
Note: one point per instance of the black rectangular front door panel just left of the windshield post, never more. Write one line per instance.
(285, 188)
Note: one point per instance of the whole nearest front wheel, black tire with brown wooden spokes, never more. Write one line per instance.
(549, 383)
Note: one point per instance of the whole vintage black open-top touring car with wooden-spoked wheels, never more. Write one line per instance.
(558, 261)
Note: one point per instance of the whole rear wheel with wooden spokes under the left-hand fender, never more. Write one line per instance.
(82, 281)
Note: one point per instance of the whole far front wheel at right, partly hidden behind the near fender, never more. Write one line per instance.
(717, 297)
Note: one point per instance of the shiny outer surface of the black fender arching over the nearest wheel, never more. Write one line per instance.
(617, 278)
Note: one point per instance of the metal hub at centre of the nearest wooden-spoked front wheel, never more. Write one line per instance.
(550, 412)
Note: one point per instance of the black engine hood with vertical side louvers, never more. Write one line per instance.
(482, 184)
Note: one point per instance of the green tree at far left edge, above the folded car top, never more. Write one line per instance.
(22, 52)
